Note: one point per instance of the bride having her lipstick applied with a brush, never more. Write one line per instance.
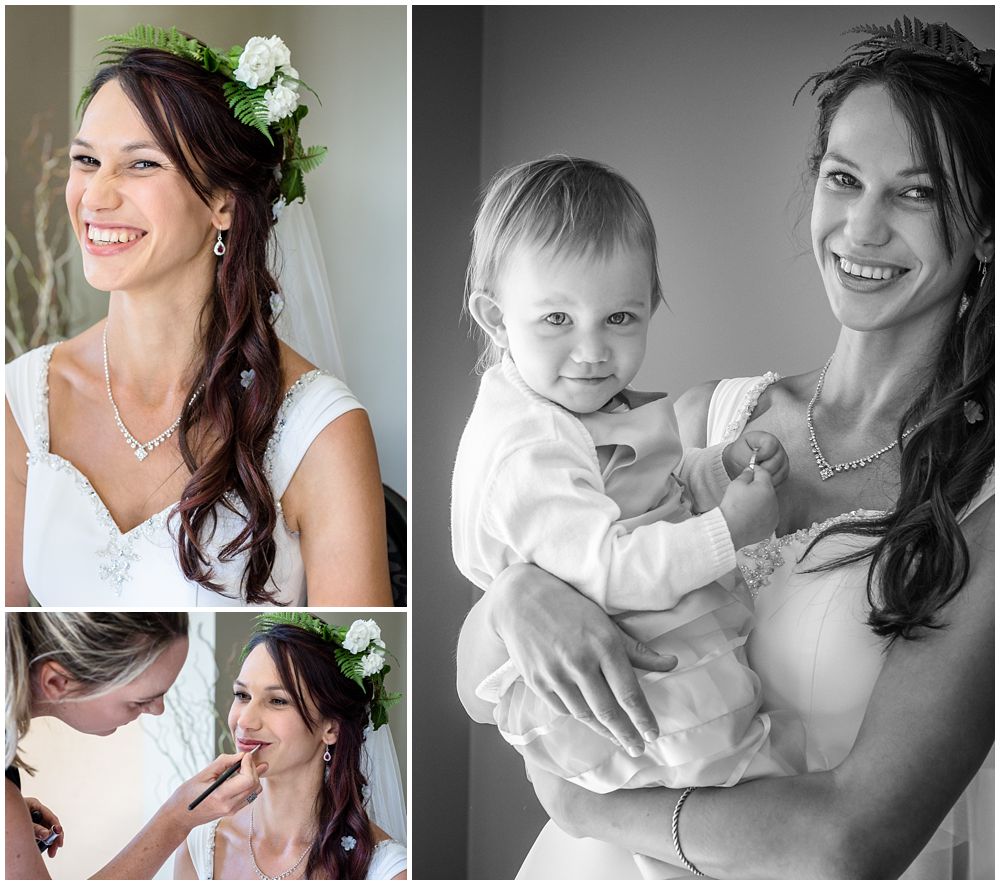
(298, 697)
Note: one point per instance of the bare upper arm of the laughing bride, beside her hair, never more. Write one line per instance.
(335, 500)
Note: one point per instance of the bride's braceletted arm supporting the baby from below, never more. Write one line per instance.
(928, 727)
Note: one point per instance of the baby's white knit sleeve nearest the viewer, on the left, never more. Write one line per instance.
(546, 503)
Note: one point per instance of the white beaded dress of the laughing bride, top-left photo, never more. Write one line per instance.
(99, 565)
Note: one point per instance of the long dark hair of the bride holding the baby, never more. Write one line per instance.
(919, 559)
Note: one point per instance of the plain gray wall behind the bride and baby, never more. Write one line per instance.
(694, 106)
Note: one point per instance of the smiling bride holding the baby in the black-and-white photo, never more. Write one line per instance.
(875, 625)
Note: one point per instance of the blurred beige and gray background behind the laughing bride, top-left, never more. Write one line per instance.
(355, 59)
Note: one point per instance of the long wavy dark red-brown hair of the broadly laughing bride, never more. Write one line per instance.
(185, 110)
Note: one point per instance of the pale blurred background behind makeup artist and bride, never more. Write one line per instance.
(105, 789)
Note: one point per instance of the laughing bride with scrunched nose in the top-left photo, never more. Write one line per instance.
(183, 455)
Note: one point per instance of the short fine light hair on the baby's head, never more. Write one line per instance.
(566, 205)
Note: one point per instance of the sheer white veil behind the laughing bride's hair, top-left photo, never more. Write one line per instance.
(305, 316)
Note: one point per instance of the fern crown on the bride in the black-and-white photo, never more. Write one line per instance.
(935, 40)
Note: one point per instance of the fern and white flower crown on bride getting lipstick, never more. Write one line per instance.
(359, 651)
